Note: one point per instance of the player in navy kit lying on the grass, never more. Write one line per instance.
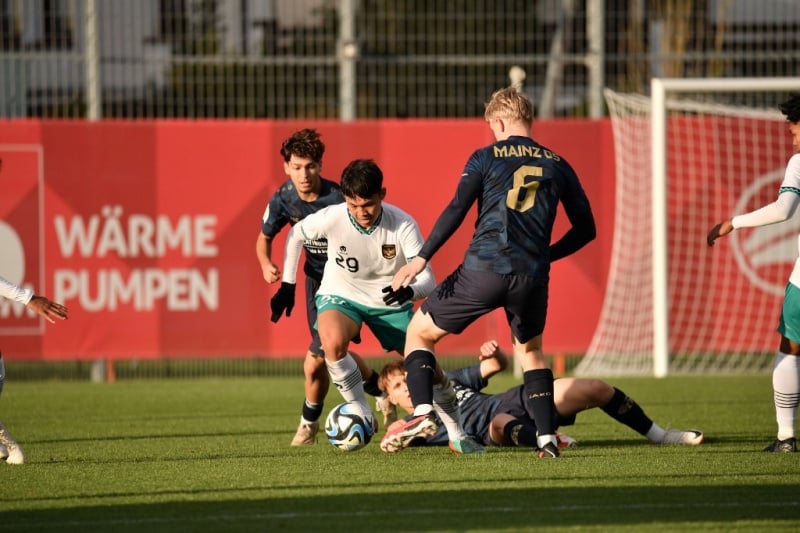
(504, 420)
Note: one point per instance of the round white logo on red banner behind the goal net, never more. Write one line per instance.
(765, 255)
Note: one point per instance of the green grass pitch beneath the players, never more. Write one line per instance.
(213, 455)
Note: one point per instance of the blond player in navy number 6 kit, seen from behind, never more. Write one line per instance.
(517, 184)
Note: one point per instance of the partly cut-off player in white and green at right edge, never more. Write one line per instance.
(786, 372)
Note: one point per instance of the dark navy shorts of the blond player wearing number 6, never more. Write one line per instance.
(467, 295)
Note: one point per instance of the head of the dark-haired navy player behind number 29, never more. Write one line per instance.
(302, 159)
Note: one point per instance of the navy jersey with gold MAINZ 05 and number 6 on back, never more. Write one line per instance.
(518, 184)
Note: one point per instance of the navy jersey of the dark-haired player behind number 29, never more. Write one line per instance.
(286, 207)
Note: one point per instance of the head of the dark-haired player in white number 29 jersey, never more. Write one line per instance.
(362, 187)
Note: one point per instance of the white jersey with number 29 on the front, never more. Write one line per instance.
(361, 262)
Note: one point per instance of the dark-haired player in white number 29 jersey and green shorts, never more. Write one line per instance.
(368, 241)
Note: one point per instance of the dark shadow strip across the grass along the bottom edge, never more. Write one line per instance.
(509, 508)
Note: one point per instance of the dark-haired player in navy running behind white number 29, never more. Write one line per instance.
(305, 192)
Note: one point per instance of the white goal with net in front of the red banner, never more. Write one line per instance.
(689, 156)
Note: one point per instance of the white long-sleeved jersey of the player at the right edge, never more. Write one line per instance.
(780, 210)
